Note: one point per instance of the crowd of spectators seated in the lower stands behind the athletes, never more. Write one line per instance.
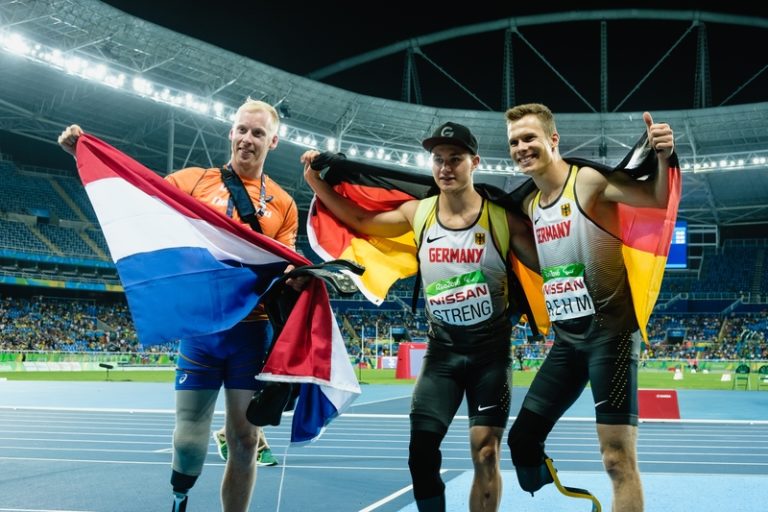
(42, 323)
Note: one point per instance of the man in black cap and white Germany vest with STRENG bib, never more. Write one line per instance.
(463, 241)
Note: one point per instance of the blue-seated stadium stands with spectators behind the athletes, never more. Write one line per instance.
(714, 313)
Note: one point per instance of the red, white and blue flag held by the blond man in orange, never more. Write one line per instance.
(188, 271)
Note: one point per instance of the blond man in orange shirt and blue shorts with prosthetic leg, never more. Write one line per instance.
(231, 358)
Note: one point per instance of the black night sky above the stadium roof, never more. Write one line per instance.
(300, 37)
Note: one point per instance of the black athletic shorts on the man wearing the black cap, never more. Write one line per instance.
(446, 376)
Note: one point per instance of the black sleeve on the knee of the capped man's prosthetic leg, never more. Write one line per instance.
(424, 461)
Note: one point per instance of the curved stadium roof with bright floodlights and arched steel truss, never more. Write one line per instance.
(166, 99)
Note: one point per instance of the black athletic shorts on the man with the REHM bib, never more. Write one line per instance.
(609, 366)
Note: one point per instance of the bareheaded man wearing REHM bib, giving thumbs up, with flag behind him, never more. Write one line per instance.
(602, 241)
